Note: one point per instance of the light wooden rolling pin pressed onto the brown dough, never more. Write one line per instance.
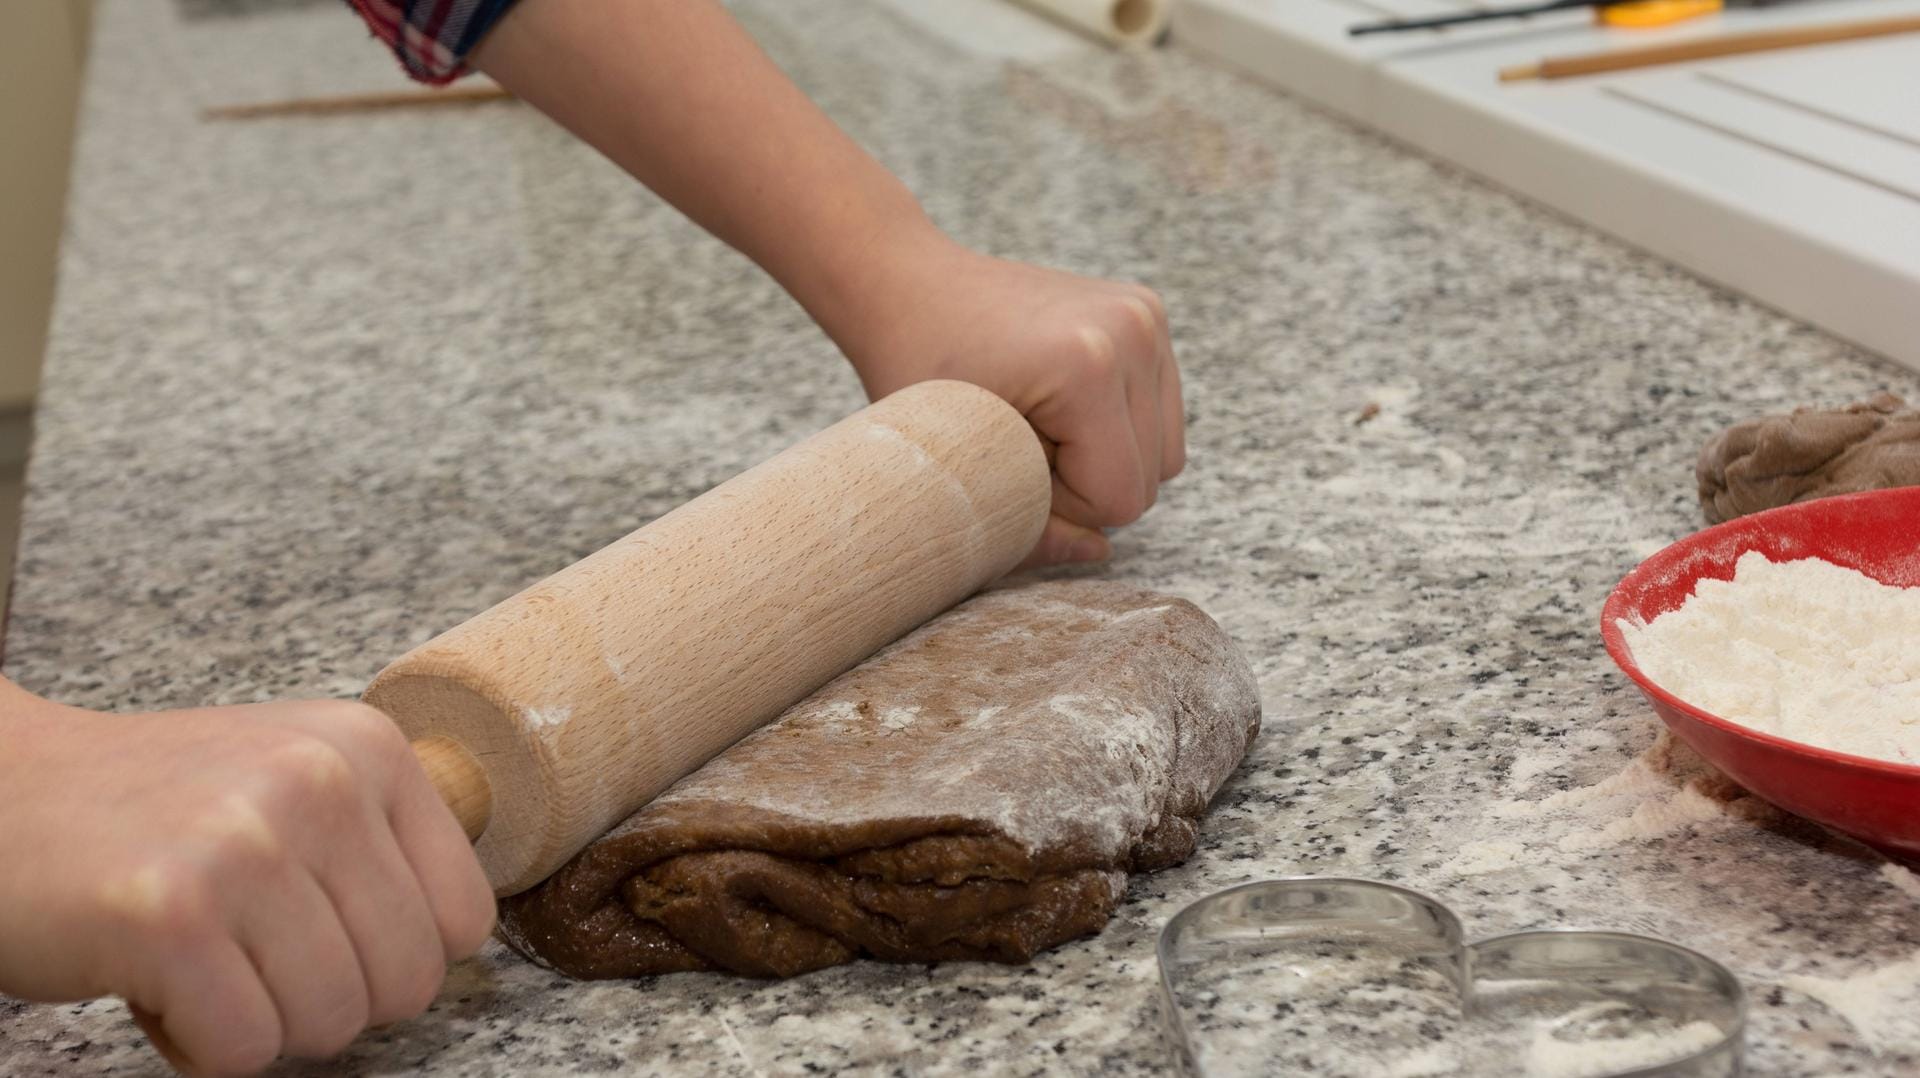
(554, 716)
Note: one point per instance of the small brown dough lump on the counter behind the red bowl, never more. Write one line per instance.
(1812, 454)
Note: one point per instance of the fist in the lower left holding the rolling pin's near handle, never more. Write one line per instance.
(254, 881)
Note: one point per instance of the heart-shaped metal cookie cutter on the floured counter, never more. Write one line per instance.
(1328, 975)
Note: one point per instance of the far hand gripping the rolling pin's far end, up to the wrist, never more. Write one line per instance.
(1088, 362)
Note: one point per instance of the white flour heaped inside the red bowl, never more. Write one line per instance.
(1806, 650)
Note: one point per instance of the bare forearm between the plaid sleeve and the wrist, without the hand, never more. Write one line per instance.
(681, 97)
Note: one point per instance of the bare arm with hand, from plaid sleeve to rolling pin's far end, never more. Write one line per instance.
(683, 99)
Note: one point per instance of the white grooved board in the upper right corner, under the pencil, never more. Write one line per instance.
(1788, 176)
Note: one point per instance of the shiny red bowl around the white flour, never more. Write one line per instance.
(1877, 533)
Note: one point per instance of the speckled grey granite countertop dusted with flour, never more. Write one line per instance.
(324, 387)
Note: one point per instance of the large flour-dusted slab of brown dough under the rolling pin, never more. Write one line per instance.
(978, 791)
